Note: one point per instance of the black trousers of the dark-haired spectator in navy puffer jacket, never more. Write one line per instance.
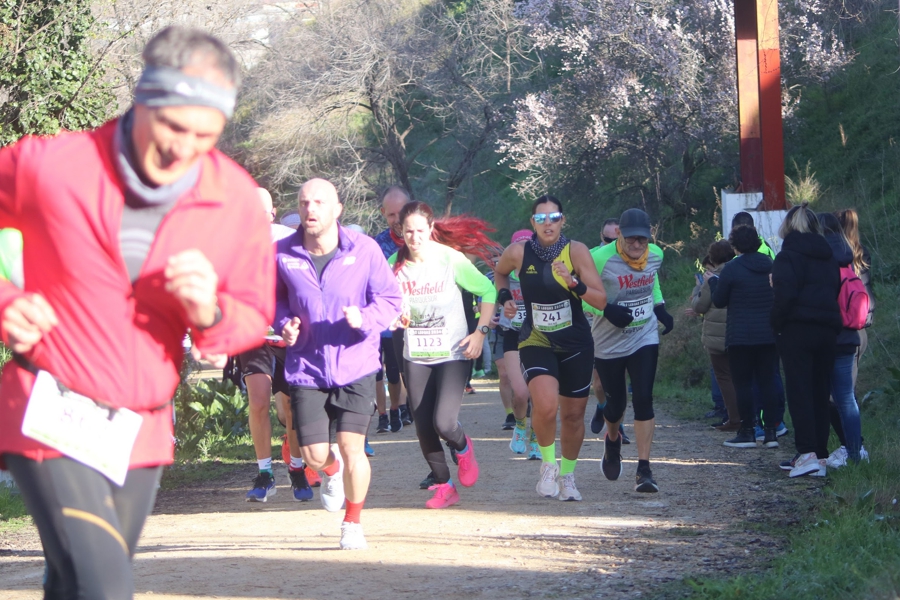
(748, 363)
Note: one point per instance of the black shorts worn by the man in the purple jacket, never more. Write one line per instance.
(351, 407)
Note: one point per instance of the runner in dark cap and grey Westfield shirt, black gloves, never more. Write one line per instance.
(626, 339)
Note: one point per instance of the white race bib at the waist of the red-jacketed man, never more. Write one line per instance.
(76, 426)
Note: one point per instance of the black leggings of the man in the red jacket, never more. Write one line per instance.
(89, 527)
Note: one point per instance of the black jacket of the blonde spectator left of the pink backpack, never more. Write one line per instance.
(806, 281)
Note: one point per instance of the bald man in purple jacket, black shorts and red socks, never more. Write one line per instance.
(335, 294)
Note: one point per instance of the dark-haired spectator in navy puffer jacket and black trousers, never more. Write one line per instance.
(743, 287)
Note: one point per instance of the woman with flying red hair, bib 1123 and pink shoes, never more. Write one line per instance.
(432, 269)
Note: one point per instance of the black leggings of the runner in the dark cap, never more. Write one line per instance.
(641, 367)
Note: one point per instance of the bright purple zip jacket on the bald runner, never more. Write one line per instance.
(329, 353)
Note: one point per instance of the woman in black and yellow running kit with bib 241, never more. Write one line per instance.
(555, 346)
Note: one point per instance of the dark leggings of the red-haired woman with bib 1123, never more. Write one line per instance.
(435, 395)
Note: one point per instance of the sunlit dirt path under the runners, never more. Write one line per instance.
(501, 541)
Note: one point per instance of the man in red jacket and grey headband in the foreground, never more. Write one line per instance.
(123, 253)
